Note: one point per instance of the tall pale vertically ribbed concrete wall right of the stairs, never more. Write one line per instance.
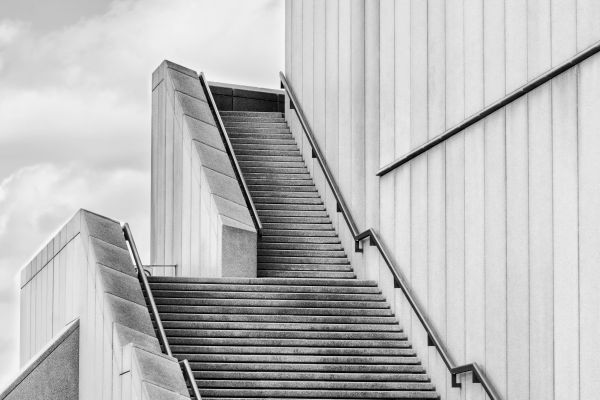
(497, 229)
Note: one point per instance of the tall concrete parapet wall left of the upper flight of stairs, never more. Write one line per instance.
(200, 220)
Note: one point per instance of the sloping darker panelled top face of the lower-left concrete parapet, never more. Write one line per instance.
(124, 300)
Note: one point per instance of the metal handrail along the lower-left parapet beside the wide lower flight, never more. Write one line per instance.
(162, 336)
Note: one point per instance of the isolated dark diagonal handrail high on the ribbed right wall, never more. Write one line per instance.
(492, 108)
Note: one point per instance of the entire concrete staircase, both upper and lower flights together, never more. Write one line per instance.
(306, 328)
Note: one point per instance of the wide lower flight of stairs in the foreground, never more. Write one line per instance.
(271, 338)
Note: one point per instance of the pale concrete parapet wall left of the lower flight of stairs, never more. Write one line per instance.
(86, 272)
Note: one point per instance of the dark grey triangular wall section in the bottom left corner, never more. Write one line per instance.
(53, 374)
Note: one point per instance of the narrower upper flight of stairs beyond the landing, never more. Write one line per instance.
(298, 239)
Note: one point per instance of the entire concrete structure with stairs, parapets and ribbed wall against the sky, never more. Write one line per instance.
(413, 215)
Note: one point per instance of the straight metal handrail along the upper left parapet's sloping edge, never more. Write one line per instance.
(232, 158)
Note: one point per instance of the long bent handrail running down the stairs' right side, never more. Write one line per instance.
(399, 279)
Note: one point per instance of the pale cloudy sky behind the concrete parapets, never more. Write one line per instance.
(75, 110)
